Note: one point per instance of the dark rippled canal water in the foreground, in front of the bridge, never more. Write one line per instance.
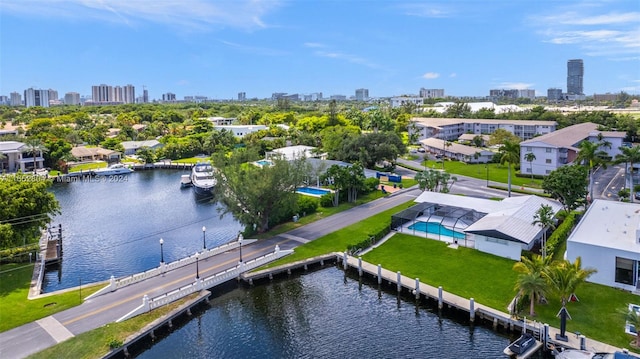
(323, 315)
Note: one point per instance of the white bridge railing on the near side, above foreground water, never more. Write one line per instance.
(211, 281)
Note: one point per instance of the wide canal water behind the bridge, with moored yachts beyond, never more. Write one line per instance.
(114, 228)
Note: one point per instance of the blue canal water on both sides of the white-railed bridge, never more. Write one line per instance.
(113, 228)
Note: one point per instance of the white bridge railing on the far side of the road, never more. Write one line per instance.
(115, 284)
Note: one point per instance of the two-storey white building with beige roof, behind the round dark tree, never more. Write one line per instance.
(561, 147)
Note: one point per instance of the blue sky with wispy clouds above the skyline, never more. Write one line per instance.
(219, 48)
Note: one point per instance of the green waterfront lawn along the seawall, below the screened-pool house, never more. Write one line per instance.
(490, 281)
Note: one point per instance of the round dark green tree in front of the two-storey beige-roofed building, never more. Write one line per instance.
(567, 184)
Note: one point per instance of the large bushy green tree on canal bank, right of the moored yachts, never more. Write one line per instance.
(258, 197)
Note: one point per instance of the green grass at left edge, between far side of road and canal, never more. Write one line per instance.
(16, 309)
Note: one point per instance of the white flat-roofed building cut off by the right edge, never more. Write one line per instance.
(607, 238)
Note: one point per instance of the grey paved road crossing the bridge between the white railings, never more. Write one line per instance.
(34, 337)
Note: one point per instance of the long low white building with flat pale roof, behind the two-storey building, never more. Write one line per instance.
(451, 129)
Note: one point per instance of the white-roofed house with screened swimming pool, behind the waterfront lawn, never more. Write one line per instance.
(502, 228)
